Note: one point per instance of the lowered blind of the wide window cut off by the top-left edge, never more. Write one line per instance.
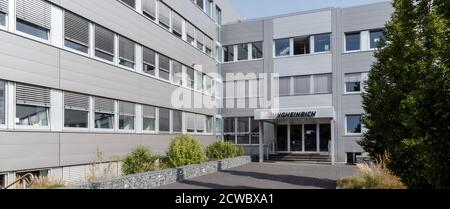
(37, 12)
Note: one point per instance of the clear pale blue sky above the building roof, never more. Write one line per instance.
(250, 9)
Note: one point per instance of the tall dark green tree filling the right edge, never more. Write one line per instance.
(407, 102)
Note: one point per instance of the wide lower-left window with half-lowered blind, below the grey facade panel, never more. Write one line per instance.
(32, 105)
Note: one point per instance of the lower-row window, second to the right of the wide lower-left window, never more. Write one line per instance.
(104, 113)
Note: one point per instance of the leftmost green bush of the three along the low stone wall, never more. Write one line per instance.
(140, 160)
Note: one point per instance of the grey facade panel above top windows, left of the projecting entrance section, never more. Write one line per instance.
(242, 33)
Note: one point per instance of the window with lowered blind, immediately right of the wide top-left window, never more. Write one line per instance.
(76, 32)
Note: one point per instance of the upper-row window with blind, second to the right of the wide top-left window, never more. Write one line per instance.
(104, 43)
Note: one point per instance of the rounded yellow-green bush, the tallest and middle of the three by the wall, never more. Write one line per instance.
(184, 150)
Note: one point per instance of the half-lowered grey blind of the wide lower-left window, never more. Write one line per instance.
(32, 95)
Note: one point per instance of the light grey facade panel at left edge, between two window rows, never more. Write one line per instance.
(28, 61)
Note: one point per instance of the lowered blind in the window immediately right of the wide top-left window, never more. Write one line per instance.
(76, 28)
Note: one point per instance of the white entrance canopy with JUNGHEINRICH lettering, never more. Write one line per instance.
(273, 115)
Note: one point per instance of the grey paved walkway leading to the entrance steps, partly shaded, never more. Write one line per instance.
(270, 176)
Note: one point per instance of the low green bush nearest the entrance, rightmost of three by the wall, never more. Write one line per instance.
(222, 150)
